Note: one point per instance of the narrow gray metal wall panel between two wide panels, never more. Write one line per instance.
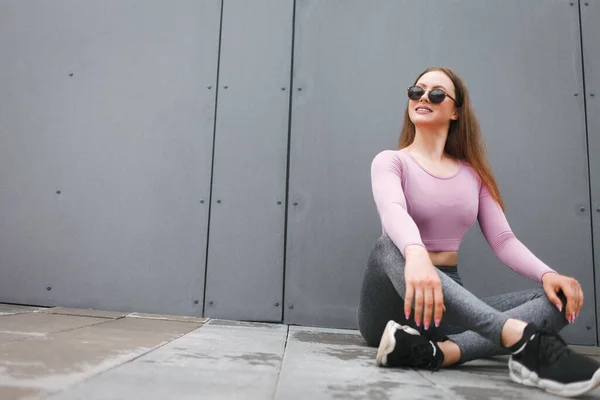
(245, 253)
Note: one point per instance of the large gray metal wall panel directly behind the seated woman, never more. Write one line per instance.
(354, 73)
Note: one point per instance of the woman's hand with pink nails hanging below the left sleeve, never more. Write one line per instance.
(423, 286)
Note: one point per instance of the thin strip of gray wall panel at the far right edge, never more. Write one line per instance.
(590, 26)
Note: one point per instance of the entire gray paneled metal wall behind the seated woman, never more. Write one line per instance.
(232, 141)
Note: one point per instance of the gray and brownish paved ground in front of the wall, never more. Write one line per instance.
(62, 354)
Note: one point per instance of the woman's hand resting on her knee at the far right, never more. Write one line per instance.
(553, 283)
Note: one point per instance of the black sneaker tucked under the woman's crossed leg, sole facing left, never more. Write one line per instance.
(403, 346)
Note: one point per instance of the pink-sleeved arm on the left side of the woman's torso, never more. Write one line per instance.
(386, 181)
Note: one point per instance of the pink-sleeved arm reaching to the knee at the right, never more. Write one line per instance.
(503, 242)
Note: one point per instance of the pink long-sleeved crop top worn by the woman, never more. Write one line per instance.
(419, 208)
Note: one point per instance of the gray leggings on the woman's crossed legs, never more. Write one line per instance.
(473, 324)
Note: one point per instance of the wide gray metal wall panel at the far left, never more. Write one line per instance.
(106, 128)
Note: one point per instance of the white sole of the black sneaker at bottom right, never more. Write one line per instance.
(520, 374)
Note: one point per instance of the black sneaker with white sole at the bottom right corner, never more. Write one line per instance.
(545, 361)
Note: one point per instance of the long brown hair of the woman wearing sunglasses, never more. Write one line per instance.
(464, 141)
